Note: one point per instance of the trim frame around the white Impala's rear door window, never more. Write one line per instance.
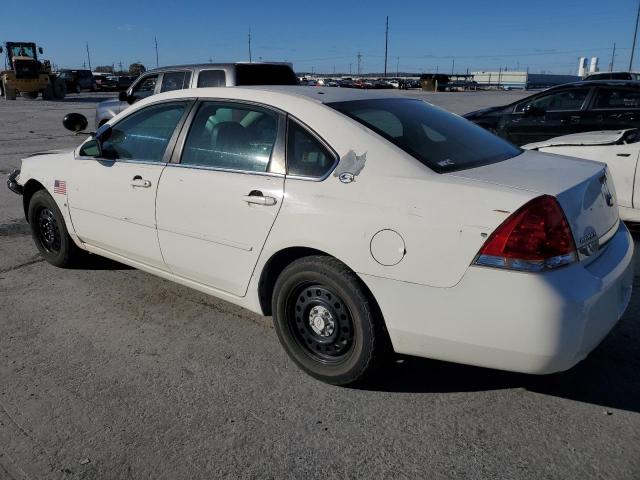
(277, 154)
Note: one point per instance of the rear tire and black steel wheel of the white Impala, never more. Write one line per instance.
(349, 341)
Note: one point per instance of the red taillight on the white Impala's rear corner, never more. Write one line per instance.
(534, 238)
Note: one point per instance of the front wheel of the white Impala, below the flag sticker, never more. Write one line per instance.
(50, 233)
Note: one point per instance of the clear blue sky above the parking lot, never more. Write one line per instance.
(323, 35)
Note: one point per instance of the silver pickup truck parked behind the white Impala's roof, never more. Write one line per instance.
(196, 76)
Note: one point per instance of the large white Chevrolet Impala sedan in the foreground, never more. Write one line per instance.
(363, 222)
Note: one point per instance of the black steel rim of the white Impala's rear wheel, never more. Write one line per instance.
(321, 323)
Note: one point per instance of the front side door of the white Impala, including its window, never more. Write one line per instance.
(112, 192)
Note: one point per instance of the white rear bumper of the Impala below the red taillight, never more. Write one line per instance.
(523, 322)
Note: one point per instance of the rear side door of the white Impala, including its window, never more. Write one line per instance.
(215, 207)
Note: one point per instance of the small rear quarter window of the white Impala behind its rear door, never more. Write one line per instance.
(306, 156)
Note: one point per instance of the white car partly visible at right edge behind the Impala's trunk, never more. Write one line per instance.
(619, 149)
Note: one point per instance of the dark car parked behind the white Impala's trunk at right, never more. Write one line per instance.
(571, 108)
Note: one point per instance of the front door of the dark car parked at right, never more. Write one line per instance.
(546, 116)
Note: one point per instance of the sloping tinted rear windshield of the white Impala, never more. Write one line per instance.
(440, 140)
